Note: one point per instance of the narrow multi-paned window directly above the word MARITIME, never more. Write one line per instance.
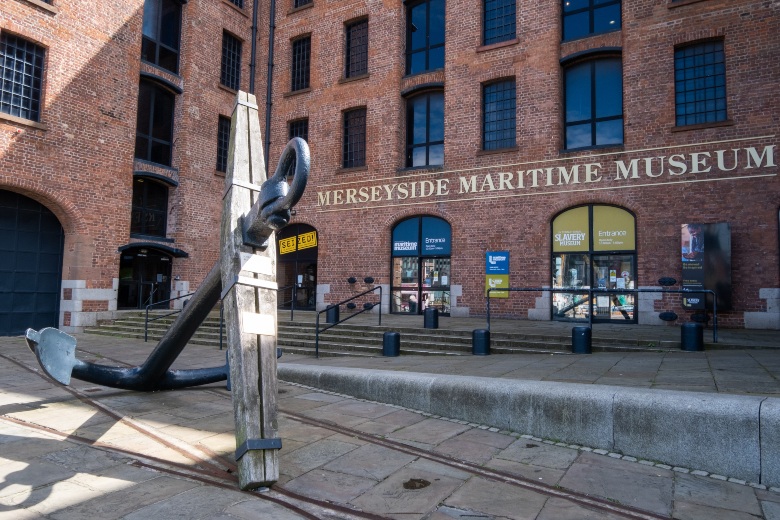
(498, 115)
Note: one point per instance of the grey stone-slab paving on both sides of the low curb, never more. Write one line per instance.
(45, 475)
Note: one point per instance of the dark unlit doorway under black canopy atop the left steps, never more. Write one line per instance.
(144, 277)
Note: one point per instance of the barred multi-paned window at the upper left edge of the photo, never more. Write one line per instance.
(21, 77)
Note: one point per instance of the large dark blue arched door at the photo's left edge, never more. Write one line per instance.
(31, 254)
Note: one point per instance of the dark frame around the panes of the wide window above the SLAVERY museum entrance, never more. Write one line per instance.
(593, 120)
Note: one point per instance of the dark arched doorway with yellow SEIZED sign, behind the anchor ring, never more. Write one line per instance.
(296, 254)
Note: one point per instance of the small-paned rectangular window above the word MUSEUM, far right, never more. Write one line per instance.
(700, 83)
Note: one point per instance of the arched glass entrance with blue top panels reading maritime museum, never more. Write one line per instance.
(421, 266)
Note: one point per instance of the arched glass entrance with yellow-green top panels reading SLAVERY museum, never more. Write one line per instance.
(594, 264)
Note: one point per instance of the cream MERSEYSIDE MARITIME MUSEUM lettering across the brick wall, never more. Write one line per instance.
(729, 163)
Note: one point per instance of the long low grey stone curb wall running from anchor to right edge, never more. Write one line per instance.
(723, 434)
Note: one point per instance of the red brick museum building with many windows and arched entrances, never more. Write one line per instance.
(557, 144)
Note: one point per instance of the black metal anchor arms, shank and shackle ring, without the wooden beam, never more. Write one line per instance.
(56, 350)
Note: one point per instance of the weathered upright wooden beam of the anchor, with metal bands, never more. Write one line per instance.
(249, 303)
